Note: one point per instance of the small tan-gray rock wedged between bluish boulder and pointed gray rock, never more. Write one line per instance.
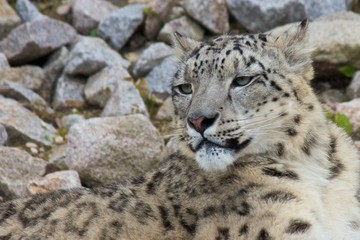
(100, 86)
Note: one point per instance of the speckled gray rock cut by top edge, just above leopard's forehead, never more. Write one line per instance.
(212, 14)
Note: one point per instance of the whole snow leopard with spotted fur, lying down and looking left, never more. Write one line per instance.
(257, 158)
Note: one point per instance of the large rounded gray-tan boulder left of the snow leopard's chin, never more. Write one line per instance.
(110, 149)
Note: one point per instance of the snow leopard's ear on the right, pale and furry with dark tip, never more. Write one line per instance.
(293, 42)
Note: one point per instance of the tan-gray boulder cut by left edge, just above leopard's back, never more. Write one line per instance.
(17, 169)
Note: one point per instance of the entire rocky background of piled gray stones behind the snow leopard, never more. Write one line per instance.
(84, 85)
